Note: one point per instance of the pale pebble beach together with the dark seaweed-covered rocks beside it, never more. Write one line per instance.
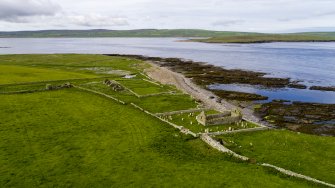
(193, 77)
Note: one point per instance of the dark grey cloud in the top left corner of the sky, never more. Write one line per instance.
(18, 10)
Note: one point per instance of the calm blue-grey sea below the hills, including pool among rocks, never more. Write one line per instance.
(312, 63)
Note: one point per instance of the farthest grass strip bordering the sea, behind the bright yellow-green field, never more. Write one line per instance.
(82, 63)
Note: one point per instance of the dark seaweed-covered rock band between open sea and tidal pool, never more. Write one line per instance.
(220, 75)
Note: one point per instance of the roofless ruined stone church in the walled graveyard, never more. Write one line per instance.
(227, 117)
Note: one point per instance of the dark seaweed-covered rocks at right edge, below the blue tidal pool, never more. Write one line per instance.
(309, 118)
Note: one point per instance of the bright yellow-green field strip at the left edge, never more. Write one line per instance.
(19, 74)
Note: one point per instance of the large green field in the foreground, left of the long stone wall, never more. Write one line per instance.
(69, 138)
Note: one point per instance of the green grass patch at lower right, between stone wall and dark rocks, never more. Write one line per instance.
(302, 153)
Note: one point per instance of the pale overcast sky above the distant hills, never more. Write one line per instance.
(233, 15)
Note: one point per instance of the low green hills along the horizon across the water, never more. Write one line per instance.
(210, 36)
